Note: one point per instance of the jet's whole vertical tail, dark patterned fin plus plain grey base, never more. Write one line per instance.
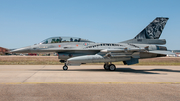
(151, 34)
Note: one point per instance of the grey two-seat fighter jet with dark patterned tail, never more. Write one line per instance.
(77, 51)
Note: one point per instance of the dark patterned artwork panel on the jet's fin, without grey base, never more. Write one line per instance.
(153, 30)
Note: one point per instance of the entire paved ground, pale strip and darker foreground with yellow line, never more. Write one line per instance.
(89, 82)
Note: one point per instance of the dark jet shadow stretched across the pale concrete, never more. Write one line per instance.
(122, 70)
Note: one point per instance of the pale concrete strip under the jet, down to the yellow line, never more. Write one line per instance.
(87, 73)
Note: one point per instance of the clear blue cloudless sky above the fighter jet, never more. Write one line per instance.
(27, 22)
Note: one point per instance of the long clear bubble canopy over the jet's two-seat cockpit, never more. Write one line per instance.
(63, 39)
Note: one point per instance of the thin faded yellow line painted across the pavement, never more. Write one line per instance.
(91, 83)
